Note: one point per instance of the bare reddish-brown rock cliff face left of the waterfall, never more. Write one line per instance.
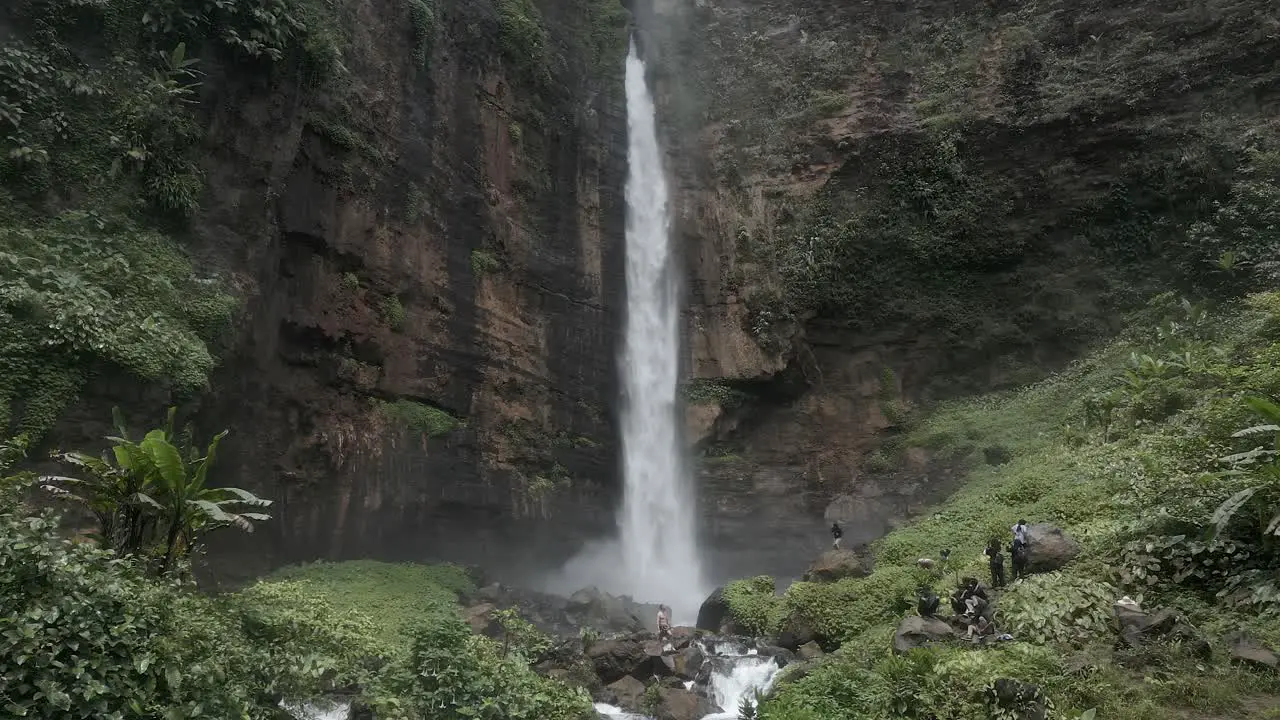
(431, 263)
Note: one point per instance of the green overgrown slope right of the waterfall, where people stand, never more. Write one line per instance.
(1124, 450)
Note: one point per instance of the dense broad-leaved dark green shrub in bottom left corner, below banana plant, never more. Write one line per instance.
(88, 636)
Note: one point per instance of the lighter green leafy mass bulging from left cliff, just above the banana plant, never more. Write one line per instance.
(81, 290)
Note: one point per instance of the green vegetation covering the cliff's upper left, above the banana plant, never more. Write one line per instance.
(100, 170)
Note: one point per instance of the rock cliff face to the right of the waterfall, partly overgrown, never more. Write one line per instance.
(886, 204)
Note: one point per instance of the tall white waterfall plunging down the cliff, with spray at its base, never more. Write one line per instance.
(655, 558)
